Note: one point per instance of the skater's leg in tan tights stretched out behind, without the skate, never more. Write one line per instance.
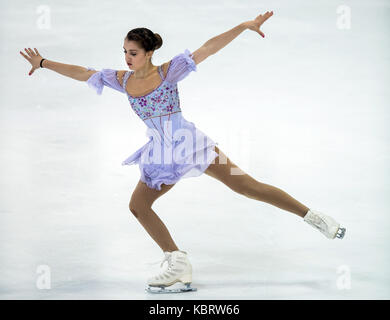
(231, 175)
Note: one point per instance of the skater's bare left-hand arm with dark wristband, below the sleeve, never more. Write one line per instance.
(69, 70)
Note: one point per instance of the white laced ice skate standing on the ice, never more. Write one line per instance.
(178, 269)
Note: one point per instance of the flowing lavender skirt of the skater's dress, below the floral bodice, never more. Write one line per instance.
(167, 158)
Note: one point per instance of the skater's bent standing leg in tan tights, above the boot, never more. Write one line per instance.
(140, 205)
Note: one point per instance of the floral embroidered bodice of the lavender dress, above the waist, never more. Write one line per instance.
(162, 101)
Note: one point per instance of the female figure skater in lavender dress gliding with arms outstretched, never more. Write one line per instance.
(153, 94)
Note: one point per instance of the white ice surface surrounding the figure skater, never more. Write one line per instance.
(305, 109)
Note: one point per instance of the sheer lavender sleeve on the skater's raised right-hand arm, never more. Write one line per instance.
(180, 66)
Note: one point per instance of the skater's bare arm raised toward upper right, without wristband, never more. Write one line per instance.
(217, 43)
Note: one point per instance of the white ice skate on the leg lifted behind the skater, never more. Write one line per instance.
(327, 225)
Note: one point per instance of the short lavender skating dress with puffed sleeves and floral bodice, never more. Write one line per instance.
(176, 148)
